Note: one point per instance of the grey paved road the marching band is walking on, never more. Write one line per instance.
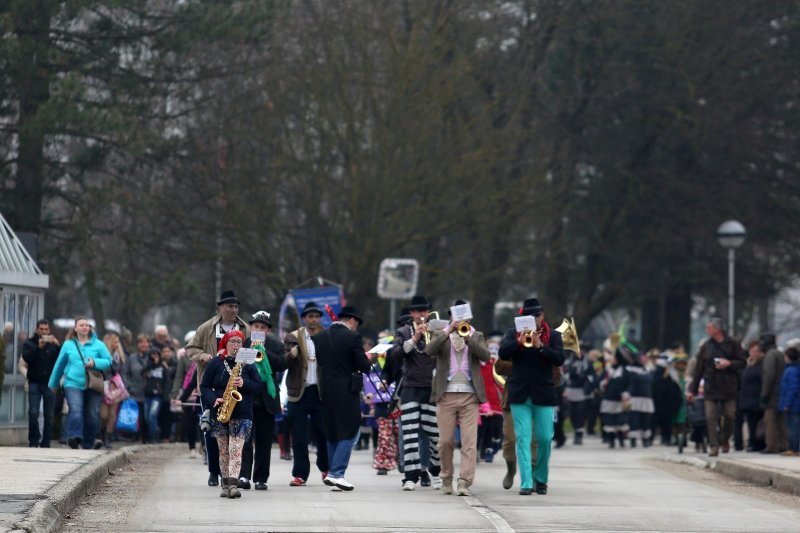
(591, 489)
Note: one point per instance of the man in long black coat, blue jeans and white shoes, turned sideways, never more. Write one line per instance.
(341, 357)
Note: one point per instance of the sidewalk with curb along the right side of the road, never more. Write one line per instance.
(770, 470)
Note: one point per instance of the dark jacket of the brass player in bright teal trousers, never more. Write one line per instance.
(532, 371)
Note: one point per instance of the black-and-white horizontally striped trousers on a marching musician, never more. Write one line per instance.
(418, 417)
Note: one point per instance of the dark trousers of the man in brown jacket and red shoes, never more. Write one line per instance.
(309, 405)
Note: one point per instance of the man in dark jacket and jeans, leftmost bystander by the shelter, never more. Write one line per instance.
(40, 353)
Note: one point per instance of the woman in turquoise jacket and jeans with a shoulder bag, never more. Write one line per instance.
(81, 362)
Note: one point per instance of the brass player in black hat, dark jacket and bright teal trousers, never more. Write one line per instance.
(532, 394)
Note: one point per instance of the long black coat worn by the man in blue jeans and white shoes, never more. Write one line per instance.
(340, 353)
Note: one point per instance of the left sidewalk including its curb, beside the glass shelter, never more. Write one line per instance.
(39, 486)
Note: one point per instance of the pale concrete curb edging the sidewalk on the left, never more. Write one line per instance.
(47, 515)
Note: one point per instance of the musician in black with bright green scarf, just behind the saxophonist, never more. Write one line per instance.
(266, 404)
